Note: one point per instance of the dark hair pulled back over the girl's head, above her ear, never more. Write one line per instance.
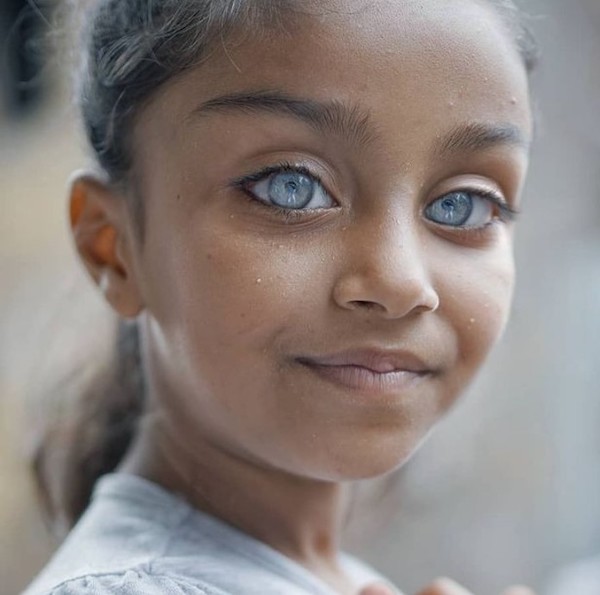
(135, 46)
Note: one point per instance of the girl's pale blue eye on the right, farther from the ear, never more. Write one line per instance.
(468, 209)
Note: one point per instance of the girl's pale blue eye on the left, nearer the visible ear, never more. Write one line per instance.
(287, 187)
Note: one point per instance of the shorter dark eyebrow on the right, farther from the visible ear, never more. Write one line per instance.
(474, 137)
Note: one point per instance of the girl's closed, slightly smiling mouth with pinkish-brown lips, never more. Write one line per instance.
(370, 371)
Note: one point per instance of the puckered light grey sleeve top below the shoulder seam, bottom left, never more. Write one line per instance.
(132, 582)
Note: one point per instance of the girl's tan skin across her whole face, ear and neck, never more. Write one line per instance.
(242, 306)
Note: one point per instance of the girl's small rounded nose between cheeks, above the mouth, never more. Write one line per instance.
(385, 271)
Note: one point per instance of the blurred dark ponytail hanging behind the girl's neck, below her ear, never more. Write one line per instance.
(77, 448)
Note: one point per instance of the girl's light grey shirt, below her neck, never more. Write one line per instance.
(137, 538)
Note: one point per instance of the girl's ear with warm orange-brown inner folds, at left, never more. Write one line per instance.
(104, 240)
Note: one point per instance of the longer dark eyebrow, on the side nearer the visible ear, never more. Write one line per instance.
(335, 117)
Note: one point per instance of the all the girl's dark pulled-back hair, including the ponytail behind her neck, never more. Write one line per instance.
(132, 48)
